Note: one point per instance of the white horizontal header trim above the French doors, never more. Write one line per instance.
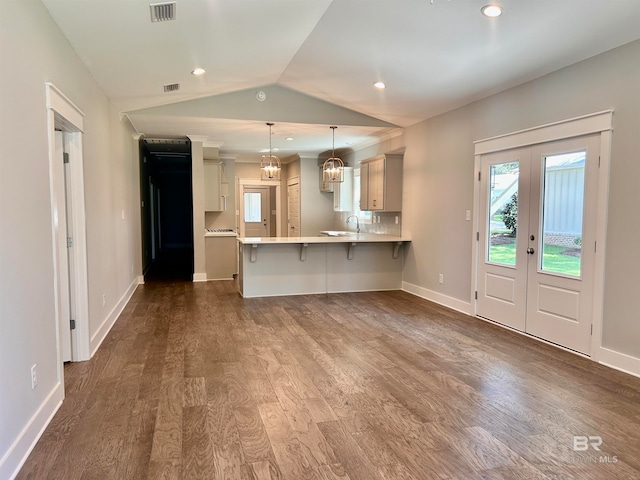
(574, 127)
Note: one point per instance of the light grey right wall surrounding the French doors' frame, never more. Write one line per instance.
(438, 186)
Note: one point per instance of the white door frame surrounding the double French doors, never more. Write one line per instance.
(595, 123)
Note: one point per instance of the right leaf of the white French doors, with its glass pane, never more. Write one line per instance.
(560, 271)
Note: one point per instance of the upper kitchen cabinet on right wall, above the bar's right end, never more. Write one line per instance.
(381, 184)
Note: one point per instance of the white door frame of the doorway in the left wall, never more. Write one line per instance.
(63, 115)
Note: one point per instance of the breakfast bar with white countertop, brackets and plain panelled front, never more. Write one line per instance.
(357, 262)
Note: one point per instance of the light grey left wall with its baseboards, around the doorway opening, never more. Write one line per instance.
(32, 52)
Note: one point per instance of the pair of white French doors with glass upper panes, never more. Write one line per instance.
(536, 240)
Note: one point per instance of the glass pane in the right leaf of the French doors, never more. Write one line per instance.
(562, 213)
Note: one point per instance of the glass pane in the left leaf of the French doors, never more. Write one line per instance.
(503, 213)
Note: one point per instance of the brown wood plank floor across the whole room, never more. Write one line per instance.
(195, 382)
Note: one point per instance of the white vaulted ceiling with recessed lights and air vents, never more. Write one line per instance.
(433, 56)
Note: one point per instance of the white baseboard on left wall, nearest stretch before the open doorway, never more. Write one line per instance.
(19, 451)
